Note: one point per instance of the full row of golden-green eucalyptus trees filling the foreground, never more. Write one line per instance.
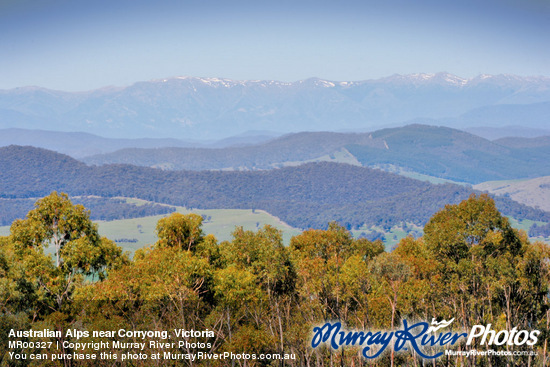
(258, 296)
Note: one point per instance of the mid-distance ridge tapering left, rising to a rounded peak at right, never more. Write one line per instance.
(435, 151)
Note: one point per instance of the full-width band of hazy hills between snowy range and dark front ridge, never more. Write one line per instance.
(438, 152)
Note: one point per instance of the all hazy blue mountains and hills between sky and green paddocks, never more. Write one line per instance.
(440, 127)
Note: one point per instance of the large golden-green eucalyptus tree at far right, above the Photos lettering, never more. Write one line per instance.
(493, 274)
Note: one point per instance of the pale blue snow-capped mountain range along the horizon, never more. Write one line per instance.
(188, 108)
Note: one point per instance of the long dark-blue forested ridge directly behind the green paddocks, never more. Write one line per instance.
(306, 196)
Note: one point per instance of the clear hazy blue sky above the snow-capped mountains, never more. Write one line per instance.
(86, 44)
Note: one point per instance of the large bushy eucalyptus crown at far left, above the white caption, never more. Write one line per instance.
(79, 251)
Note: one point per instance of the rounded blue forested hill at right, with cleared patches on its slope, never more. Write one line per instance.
(453, 154)
